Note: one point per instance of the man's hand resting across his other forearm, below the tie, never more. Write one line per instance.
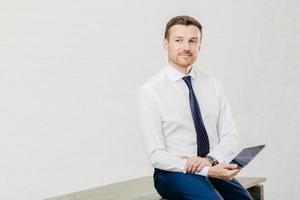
(194, 164)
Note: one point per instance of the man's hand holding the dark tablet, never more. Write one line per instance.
(223, 171)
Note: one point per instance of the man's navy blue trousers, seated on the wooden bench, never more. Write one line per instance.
(180, 186)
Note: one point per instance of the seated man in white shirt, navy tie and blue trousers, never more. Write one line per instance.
(187, 124)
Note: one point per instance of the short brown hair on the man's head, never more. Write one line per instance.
(182, 20)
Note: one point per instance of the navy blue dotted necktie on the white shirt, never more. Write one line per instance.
(202, 138)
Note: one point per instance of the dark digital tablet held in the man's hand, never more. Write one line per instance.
(246, 155)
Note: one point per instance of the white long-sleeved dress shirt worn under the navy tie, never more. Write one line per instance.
(166, 120)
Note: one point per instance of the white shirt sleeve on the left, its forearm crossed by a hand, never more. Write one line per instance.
(152, 134)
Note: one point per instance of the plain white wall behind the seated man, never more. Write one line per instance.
(70, 69)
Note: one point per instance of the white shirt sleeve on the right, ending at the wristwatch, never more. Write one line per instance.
(226, 128)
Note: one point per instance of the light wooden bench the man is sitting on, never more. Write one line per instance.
(143, 189)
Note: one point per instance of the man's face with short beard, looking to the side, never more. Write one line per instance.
(183, 45)
